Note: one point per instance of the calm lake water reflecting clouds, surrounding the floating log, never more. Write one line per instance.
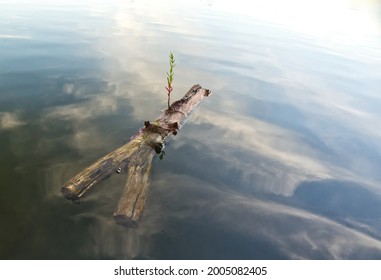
(283, 161)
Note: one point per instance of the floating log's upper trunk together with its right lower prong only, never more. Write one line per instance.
(133, 199)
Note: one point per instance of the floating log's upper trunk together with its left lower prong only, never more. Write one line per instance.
(152, 135)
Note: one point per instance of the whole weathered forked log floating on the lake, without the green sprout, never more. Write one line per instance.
(135, 157)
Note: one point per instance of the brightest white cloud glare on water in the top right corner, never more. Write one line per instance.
(355, 22)
